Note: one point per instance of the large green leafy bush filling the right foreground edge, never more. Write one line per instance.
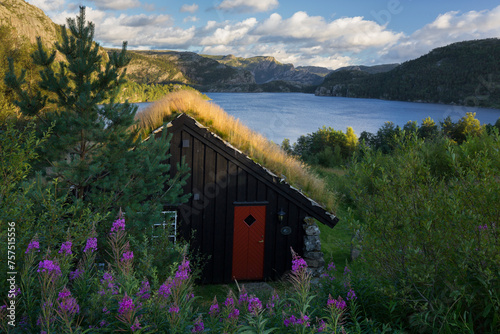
(430, 232)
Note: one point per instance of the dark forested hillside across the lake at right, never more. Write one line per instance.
(464, 73)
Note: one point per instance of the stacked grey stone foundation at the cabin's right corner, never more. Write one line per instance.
(312, 248)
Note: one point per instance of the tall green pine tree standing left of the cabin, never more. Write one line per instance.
(93, 150)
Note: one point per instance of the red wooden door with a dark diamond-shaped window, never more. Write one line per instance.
(248, 243)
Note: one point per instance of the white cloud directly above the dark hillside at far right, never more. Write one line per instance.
(447, 28)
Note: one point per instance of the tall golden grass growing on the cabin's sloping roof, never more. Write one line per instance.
(230, 129)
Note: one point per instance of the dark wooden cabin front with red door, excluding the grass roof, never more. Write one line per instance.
(244, 217)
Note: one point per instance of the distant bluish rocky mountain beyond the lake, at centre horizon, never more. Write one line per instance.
(268, 69)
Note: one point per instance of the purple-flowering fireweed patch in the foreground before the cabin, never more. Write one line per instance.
(61, 290)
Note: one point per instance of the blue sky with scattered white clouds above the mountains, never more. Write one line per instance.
(327, 33)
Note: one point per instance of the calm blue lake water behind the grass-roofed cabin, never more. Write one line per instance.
(290, 115)
